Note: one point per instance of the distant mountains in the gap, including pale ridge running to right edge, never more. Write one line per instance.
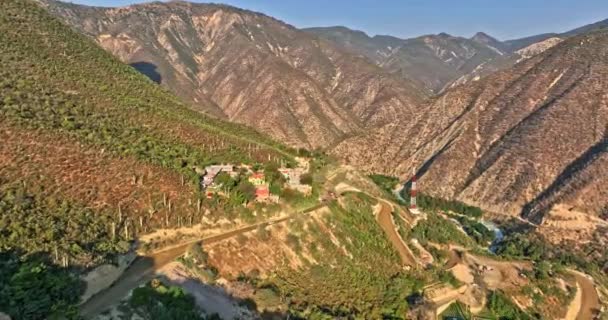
(439, 62)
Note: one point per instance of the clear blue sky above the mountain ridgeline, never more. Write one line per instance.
(504, 19)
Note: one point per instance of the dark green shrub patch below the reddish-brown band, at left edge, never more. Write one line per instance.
(68, 232)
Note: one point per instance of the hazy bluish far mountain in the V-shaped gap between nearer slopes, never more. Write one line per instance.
(431, 61)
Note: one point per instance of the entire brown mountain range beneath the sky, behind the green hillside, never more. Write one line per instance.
(512, 126)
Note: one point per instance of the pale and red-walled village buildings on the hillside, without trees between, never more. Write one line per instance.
(257, 179)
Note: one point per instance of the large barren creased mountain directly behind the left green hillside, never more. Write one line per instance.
(249, 68)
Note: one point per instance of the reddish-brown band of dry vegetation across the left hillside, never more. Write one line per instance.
(63, 167)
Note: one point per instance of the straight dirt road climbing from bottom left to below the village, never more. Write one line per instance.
(144, 268)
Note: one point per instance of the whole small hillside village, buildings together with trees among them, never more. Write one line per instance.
(266, 183)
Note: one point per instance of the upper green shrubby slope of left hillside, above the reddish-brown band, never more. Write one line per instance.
(88, 94)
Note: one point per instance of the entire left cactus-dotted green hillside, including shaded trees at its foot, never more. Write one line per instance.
(92, 154)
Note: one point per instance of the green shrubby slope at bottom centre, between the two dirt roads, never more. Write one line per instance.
(370, 285)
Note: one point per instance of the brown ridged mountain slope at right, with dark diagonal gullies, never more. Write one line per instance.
(517, 142)
